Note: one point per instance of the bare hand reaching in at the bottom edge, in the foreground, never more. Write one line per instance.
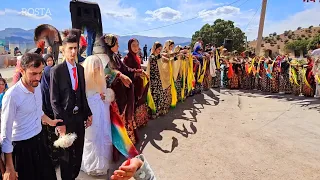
(127, 170)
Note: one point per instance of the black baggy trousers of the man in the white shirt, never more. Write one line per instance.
(31, 159)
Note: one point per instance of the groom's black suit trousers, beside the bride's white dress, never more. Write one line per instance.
(71, 158)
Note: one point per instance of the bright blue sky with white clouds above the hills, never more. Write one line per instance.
(124, 17)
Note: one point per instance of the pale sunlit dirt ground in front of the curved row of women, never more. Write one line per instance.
(235, 135)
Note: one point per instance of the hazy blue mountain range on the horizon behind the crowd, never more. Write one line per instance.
(18, 35)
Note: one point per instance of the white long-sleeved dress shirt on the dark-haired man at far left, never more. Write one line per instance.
(21, 115)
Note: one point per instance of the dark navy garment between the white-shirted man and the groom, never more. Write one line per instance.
(45, 90)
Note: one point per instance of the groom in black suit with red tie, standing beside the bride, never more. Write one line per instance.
(69, 103)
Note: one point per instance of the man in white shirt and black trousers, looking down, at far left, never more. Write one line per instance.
(22, 142)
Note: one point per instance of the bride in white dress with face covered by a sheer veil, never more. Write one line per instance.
(97, 151)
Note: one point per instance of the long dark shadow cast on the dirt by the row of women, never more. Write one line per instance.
(194, 105)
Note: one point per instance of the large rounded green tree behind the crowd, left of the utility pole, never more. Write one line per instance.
(219, 31)
